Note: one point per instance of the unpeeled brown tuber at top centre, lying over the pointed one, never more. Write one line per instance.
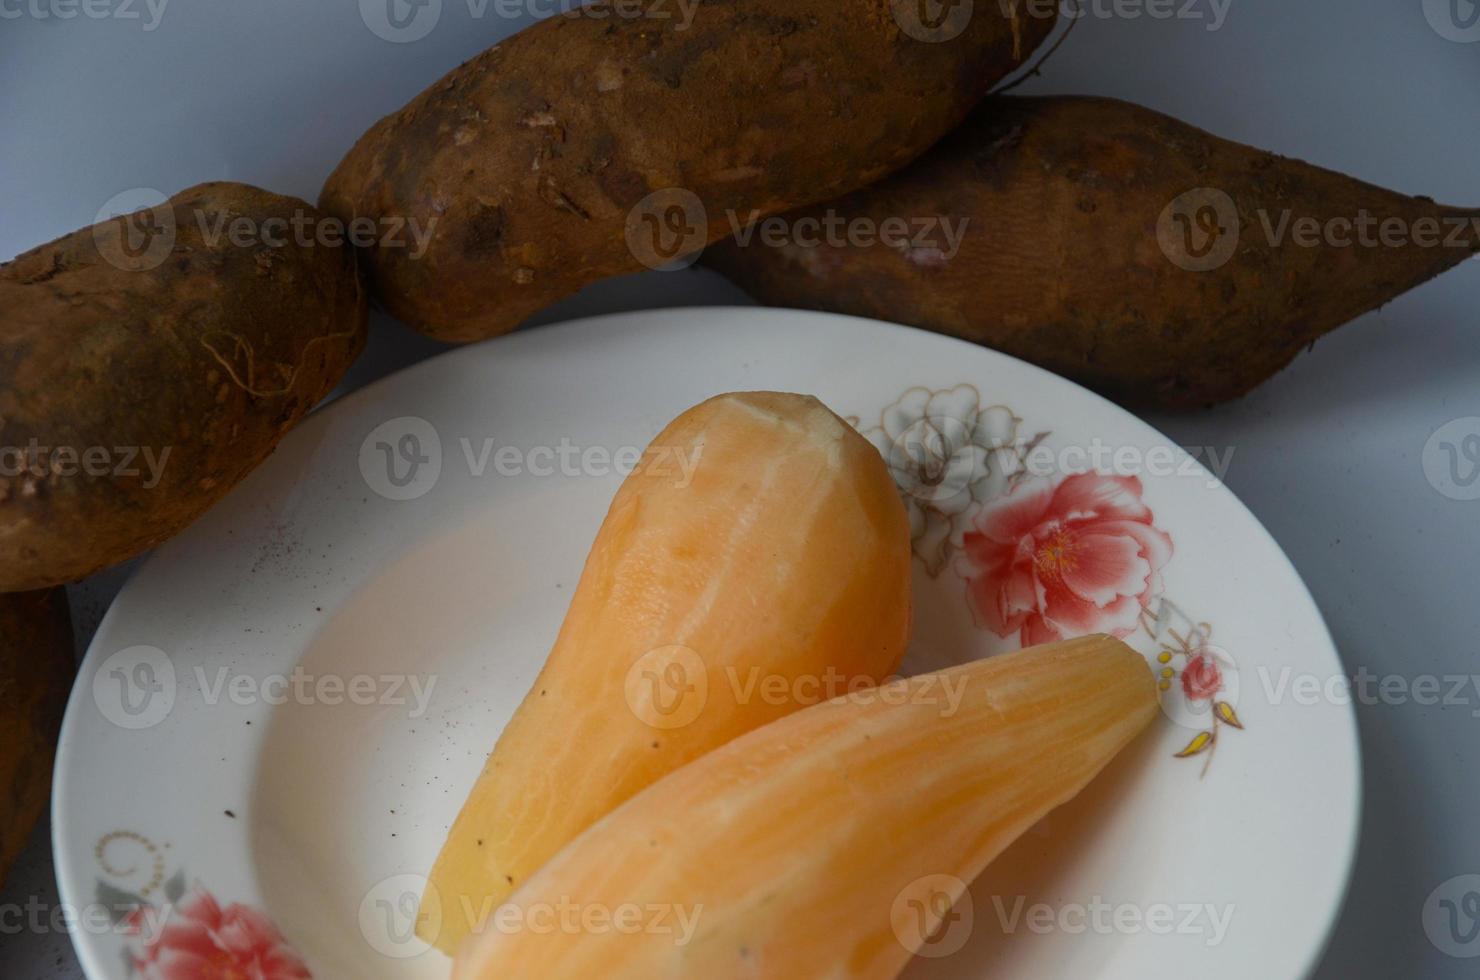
(532, 156)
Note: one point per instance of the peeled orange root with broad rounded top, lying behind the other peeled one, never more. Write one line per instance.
(784, 560)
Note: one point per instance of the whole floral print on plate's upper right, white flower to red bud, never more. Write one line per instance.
(1047, 557)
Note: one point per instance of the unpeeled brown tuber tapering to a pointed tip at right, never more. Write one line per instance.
(1062, 264)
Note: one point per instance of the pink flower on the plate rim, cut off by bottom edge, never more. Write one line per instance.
(201, 941)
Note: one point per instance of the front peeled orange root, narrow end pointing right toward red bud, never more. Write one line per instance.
(813, 846)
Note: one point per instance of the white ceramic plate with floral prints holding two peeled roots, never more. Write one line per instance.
(285, 708)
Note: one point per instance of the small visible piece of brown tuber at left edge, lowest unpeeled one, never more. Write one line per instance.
(36, 674)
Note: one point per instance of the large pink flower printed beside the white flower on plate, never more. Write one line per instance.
(1050, 562)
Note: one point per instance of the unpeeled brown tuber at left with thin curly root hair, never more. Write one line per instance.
(212, 356)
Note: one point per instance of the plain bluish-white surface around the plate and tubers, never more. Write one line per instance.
(1330, 455)
